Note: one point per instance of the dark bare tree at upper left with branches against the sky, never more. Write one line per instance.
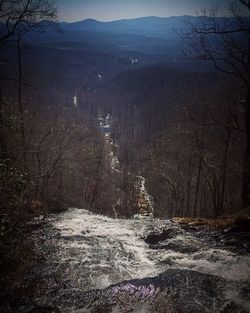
(18, 17)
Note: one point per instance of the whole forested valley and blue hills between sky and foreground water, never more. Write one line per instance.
(177, 122)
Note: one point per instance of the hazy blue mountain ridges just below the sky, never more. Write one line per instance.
(109, 48)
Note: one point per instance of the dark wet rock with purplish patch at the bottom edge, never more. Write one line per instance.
(172, 291)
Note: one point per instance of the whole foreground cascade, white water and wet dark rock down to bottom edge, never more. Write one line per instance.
(96, 264)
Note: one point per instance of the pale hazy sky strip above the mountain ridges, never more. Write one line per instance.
(106, 10)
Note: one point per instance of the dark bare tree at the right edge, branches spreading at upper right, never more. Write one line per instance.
(225, 41)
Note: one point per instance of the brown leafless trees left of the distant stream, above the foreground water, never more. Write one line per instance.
(53, 157)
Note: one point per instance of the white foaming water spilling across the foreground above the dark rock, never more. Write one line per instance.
(95, 251)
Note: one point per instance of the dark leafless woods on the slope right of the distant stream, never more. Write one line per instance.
(184, 132)
